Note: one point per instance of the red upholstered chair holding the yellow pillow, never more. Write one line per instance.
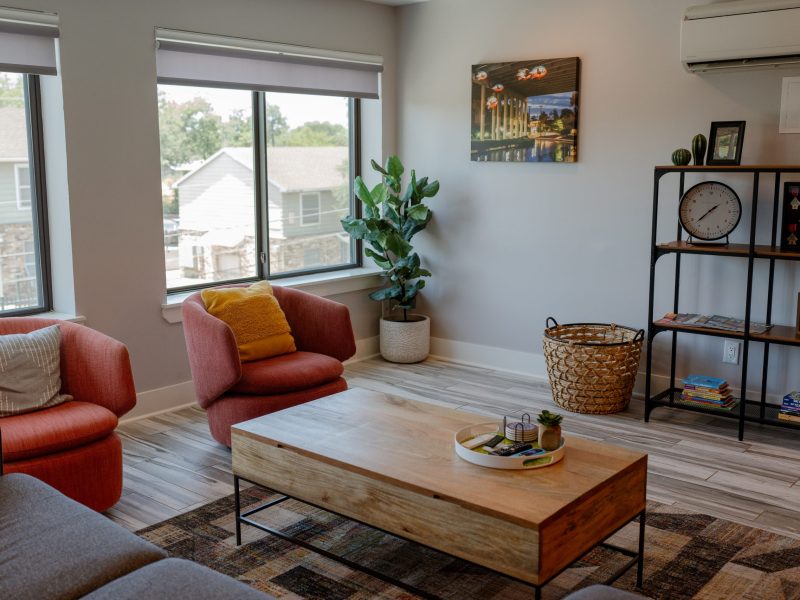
(232, 391)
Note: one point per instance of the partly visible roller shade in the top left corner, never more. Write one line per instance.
(27, 41)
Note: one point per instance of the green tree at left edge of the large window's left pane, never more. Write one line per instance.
(189, 131)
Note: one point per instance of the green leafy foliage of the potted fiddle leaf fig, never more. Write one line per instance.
(391, 217)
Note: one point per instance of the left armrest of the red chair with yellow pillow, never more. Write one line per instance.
(213, 354)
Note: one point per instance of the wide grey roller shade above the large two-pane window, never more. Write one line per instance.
(189, 58)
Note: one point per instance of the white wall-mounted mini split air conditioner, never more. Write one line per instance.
(741, 34)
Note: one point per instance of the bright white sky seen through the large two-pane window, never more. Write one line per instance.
(297, 108)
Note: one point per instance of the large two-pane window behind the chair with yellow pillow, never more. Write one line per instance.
(254, 184)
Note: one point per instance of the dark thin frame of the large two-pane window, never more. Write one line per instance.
(261, 201)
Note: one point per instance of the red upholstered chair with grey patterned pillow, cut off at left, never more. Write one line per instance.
(72, 446)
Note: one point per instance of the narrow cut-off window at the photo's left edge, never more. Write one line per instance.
(24, 279)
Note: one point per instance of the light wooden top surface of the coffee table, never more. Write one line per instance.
(411, 445)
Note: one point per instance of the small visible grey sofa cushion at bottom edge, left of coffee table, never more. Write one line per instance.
(175, 578)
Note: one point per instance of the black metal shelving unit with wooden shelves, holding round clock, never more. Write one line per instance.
(748, 410)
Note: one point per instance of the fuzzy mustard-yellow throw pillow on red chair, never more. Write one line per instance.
(257, 321)
